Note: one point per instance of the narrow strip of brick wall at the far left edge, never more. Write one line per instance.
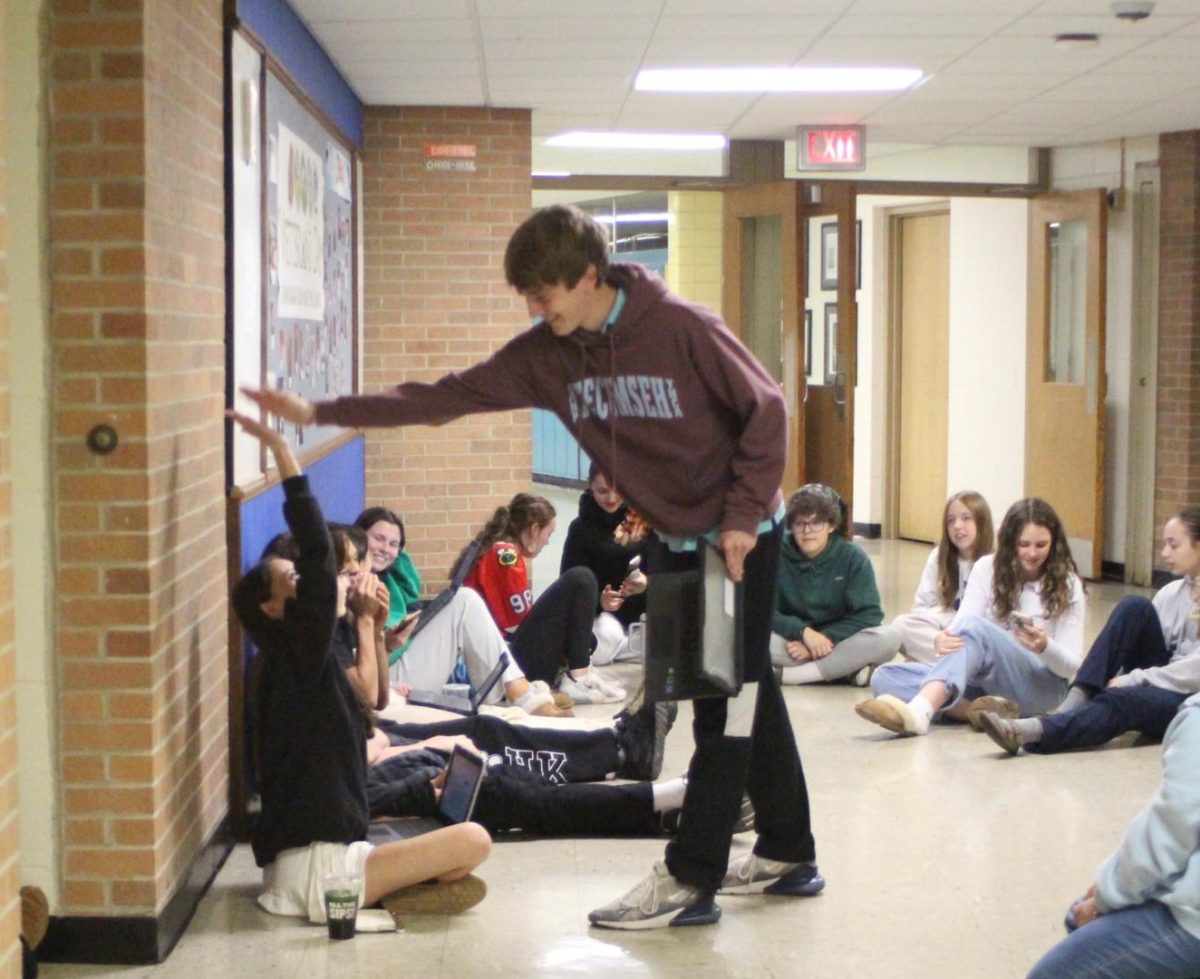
(10, 869)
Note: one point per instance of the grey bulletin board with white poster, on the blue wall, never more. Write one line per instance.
(309, 243)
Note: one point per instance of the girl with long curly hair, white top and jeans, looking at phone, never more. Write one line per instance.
(1013, 646)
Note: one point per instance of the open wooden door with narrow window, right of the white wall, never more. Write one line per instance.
(1066, 382)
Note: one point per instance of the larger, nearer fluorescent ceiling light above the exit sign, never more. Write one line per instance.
(777, 80)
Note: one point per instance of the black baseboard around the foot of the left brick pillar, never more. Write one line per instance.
(139, 941)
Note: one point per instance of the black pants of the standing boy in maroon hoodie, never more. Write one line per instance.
(743, 744)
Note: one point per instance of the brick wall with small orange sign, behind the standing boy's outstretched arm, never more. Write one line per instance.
(436, 302)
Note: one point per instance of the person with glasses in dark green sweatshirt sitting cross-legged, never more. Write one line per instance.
(829, 622)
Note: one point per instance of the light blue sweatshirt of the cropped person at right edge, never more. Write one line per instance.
(1160, 857)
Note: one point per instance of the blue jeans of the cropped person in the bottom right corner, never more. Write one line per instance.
(1142, 942)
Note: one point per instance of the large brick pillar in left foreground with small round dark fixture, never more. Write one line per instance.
(137, 332)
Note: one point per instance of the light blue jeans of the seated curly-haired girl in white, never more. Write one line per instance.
(991, 662)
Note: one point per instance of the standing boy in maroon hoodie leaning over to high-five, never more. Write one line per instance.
(680, 415)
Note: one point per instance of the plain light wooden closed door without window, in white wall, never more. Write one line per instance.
(922, 317)
